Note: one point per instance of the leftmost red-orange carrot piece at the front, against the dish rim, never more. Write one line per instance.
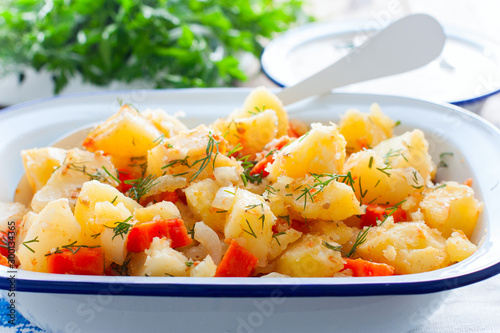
(82, 261)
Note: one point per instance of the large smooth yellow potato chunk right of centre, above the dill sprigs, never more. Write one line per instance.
(319, 151)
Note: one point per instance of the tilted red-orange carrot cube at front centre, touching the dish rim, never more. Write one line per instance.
(237, 262)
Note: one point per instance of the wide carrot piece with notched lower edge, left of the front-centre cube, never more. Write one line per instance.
(141, 236)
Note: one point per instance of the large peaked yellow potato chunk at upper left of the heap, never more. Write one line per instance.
(125, 134)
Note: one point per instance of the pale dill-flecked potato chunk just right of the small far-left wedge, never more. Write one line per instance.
(66, 182)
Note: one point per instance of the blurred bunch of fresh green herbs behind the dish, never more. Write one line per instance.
(166, 43)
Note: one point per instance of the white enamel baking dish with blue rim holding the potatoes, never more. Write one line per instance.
(97, 303)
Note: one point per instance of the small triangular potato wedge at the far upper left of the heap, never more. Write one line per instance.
(40, 163)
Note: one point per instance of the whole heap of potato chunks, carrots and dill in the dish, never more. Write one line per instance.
(252, 194)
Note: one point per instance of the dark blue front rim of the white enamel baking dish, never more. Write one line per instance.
(232, 290)
